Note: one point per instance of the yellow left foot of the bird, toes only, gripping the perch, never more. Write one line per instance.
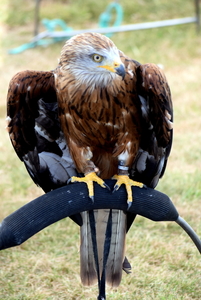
(89, 179)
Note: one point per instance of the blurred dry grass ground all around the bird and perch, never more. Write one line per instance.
(166, 265)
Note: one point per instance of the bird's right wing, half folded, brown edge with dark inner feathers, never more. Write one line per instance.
(157, 116)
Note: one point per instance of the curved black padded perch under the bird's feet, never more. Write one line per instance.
(73, 198)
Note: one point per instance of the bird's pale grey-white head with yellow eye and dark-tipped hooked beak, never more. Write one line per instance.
(93, 59)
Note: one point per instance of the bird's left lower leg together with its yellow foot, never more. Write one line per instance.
(90, 171)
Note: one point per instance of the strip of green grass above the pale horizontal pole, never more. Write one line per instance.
(79, 13)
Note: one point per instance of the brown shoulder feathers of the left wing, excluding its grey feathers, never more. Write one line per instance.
(25, 89)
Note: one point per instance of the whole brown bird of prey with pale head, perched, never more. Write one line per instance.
(98, 115)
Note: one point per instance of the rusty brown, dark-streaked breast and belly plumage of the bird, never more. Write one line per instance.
(104, 117)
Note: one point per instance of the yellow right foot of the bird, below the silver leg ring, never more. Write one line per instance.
(124, 179)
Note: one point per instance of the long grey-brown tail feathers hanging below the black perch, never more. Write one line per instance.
(88, 269)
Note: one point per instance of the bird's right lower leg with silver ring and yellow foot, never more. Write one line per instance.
(123, 178)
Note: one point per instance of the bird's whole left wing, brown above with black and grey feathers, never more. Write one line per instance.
(34, 129)
